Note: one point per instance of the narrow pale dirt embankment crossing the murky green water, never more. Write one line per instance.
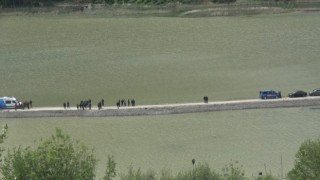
(162, 109)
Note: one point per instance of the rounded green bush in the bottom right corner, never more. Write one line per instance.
(307, 163)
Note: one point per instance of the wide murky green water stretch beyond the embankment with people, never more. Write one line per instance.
(52, 59)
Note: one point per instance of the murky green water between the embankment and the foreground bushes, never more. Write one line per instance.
(253, 137)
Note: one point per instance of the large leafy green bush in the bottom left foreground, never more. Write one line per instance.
(56, 158)
